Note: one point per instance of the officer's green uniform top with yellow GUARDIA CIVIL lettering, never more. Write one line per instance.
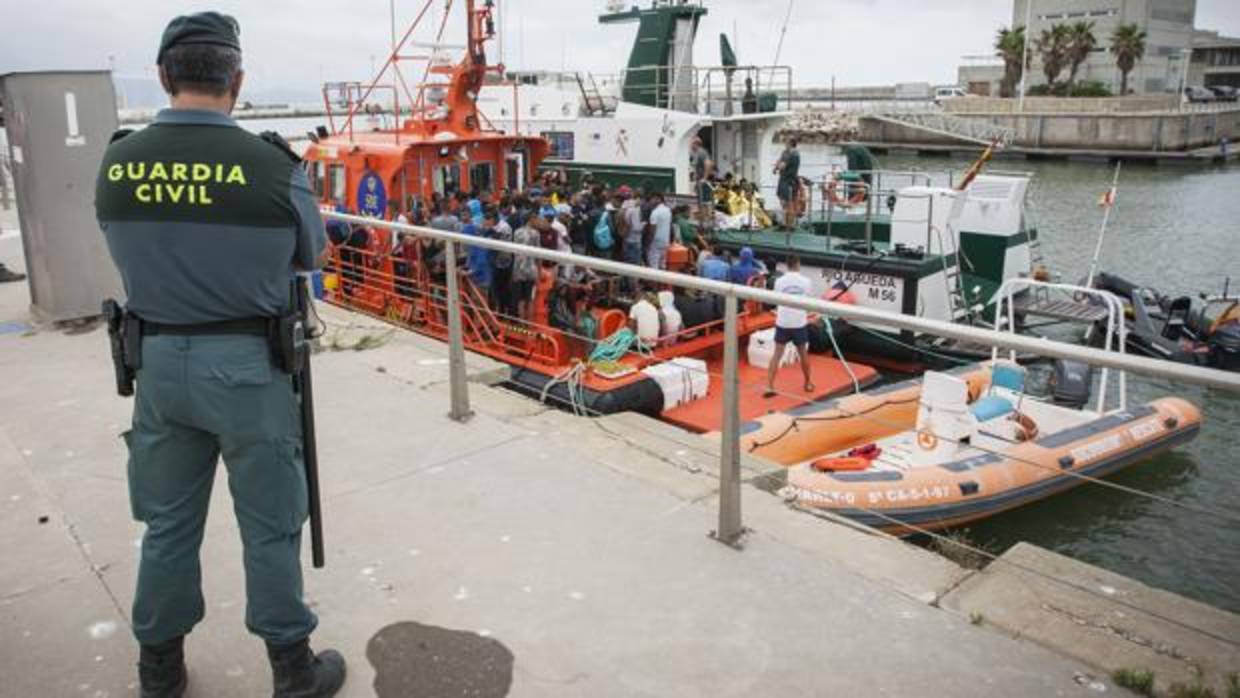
(206, 221)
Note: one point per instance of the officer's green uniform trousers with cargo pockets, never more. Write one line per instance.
(200, 399)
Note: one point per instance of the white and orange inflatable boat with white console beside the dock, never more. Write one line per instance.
(969, 456)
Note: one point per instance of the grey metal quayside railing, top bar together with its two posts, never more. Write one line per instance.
(731, 528)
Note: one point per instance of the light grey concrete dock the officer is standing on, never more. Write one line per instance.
(525, 554)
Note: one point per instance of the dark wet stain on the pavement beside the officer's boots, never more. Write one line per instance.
(412, 660)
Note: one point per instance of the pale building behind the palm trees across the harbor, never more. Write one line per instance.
(1170, 35)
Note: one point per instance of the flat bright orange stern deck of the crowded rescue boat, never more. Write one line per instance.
(830, 380)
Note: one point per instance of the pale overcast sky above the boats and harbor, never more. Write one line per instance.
(296, 44)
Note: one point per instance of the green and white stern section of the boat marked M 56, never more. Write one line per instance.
(936, 252)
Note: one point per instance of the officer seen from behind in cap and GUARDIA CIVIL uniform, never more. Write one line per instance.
(208, 225)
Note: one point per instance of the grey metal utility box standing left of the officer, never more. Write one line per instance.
(59, 126)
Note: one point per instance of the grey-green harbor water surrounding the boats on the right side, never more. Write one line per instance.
(1177, 230)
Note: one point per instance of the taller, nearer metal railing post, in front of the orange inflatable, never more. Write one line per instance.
(730, 454)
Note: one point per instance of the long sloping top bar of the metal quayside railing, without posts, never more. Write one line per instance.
(1041, 347)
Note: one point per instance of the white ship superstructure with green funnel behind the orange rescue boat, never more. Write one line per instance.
(637, 128)
